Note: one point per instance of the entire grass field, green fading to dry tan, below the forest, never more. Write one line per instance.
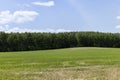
(61, 64)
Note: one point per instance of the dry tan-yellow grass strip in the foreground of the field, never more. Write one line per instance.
(73, 73)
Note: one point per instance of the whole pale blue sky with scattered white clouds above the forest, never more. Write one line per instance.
(59, 15)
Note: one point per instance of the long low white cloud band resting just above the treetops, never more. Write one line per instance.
(8, 29)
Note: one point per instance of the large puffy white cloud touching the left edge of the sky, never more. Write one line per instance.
(17, 17)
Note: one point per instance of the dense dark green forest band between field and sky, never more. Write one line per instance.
(43, 41)
